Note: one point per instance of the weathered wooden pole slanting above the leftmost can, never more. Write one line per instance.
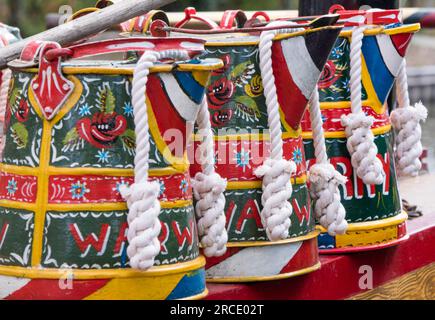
(85, 26)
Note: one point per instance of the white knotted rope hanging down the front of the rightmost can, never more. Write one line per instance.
(360, 139)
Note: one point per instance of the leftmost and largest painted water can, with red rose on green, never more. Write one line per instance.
(70, 144)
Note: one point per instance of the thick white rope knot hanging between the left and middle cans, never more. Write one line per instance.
(208, 190)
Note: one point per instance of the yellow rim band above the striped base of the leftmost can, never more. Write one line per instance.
(90, 274)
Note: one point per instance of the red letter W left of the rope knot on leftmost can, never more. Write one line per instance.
(98, 243)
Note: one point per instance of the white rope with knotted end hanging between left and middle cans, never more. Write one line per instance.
(208, 189)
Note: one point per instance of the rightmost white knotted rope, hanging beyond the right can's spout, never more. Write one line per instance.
(406, 120)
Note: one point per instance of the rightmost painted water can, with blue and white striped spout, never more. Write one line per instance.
(373, 211)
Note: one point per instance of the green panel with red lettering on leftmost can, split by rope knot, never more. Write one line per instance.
(99, 239)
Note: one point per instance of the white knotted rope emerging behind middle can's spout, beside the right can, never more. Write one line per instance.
(324, 178)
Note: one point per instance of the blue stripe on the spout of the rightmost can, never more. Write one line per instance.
(381, 77)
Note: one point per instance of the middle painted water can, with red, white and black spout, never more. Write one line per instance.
(240, 122)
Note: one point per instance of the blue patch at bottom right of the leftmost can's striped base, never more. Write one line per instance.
(190, 285)
